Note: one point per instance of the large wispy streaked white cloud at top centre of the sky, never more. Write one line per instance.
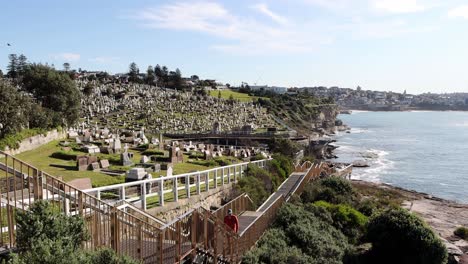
(245, 34)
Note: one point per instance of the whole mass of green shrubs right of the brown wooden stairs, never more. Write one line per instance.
(332, 222)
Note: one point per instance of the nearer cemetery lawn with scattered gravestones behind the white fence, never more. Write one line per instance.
(107, 158)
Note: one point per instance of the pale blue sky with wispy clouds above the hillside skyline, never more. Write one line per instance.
(417, 45)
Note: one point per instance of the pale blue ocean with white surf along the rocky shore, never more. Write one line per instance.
(422, 150)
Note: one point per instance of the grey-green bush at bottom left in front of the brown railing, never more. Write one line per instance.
(44, 235)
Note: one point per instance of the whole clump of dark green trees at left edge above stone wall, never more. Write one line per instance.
(55, 101)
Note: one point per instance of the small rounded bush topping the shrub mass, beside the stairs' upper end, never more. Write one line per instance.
(332, 189)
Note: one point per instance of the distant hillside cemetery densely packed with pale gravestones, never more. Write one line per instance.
(134, 106)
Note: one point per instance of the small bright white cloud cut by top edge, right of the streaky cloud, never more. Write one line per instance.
(398, 6)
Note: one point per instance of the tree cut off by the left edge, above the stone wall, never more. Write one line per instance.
(14, 107)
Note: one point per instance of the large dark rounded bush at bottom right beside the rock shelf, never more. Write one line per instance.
(398, 236)
